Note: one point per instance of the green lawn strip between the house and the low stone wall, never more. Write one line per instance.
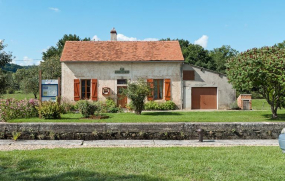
(177, 116)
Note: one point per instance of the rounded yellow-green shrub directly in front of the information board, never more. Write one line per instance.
(50, 110)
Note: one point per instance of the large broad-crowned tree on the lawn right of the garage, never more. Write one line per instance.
(262, 68)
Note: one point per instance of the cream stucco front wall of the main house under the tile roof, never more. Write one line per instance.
(104, 72)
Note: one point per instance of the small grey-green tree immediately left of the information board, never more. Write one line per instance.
(28, 80)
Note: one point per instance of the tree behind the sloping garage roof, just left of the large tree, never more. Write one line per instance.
(220, 56)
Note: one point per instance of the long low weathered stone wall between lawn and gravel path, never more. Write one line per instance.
(140, 131)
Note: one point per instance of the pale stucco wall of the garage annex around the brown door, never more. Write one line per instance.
(204, 78)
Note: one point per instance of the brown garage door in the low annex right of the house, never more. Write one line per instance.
(204, 98)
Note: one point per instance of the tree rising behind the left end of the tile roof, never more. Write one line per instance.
(53, 54)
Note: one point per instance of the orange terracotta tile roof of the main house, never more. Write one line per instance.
(122, 51)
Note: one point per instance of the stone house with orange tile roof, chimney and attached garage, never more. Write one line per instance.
(98, 70)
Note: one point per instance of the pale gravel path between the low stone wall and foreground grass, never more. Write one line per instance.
(8, 145)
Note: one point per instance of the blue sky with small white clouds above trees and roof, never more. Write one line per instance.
(29, 27)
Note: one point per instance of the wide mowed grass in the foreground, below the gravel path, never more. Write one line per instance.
(166, 164)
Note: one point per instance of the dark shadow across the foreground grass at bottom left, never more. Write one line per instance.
(31, 169)
